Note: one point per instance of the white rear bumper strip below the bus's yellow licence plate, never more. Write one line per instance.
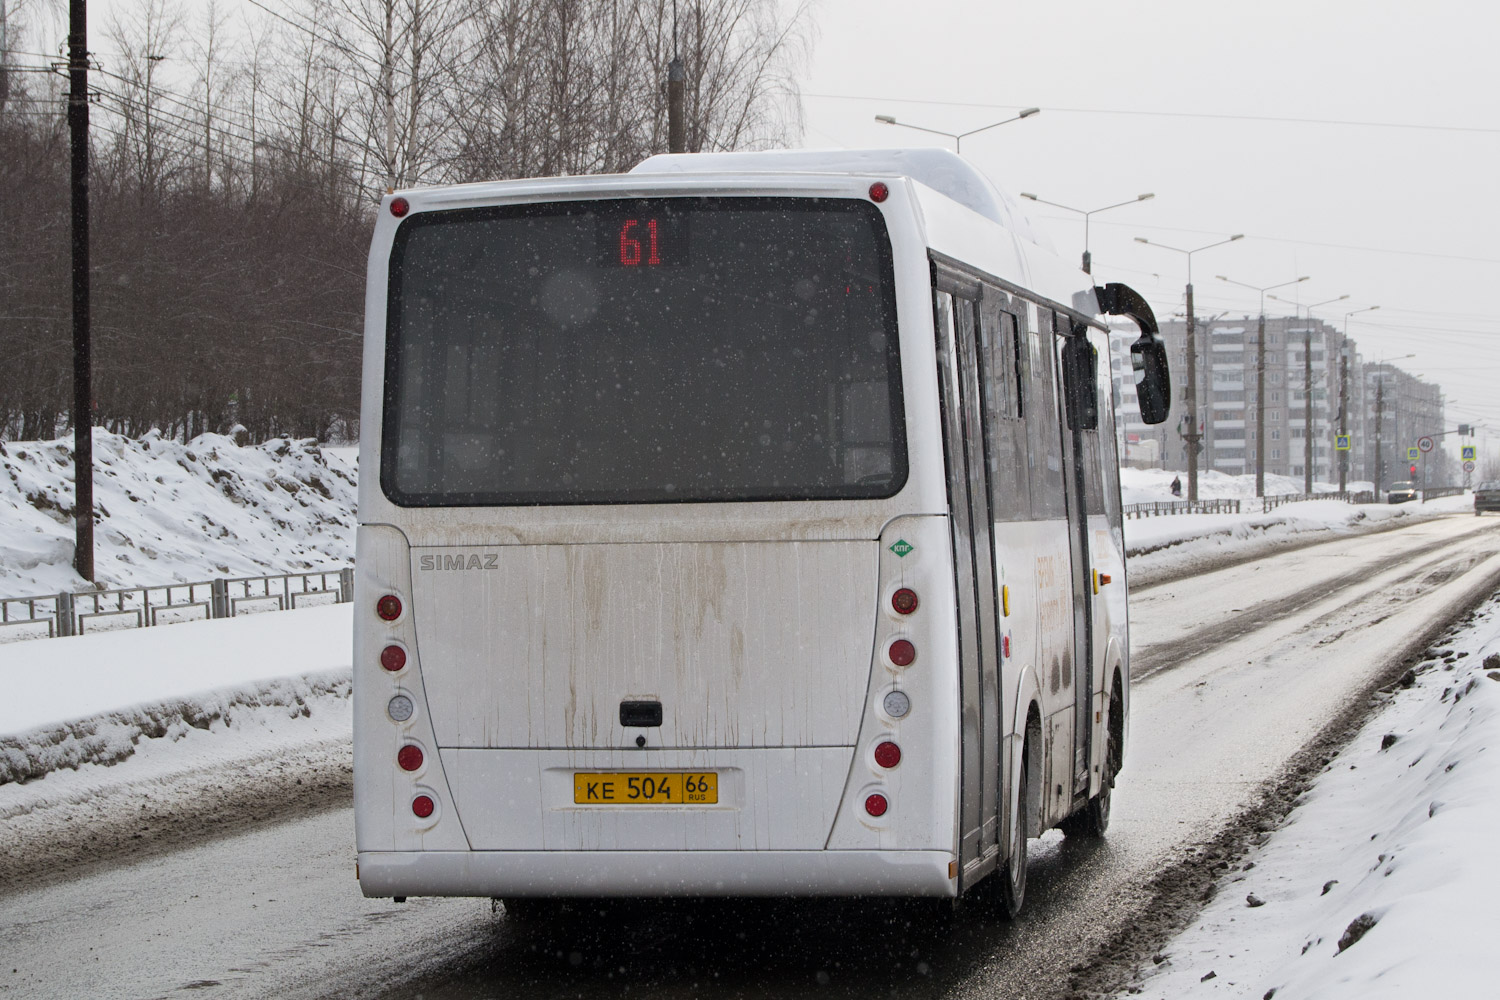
(622, 873)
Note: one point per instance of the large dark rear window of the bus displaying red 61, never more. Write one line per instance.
(643, 352)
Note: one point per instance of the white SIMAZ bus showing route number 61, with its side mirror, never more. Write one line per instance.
(743, 525)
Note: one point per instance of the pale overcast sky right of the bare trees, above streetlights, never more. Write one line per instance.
(1352, 142)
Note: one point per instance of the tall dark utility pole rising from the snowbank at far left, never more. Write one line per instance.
(83, 355)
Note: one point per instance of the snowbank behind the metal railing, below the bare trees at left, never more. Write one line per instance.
(172, 512)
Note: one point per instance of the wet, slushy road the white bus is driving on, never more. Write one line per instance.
(1235, 671)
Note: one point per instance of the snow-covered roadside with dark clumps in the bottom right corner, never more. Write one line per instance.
(1382, 882)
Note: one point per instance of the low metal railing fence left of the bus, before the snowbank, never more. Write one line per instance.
(55, 615)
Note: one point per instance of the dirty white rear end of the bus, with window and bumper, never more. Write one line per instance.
(653, 593)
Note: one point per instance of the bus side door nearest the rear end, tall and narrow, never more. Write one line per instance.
(961, 361)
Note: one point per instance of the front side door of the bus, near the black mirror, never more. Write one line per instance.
(1078, 361)
